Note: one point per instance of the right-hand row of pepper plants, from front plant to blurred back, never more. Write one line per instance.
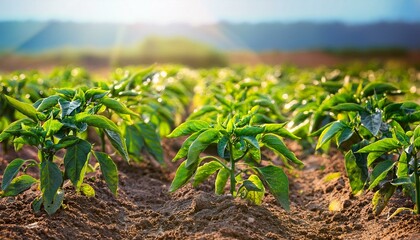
(373, 118)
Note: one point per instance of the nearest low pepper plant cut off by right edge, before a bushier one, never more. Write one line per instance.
(390, 174)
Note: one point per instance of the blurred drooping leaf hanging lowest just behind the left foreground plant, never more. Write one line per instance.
(152, 141)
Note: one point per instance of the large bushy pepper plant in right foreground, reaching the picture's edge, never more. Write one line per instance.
(373, 135)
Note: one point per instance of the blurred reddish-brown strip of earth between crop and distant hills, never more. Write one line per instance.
(101, 65)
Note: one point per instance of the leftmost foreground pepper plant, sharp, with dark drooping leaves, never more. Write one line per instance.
(55, 125)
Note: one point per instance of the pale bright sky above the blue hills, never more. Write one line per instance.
(197, 12)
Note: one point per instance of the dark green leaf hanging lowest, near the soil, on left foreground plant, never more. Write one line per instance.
(51, 179)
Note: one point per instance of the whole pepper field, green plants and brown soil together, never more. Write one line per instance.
(260, 152)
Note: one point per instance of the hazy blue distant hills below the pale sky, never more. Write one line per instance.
(35, 37)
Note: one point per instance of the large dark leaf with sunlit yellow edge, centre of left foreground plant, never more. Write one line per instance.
(75, 162)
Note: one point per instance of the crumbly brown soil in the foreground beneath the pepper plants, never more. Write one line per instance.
(145, 210)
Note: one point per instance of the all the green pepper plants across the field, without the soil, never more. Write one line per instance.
(371, 115)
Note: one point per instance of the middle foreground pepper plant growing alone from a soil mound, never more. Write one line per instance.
(238, 157)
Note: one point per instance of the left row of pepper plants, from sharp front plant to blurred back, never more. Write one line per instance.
(56, 121)
